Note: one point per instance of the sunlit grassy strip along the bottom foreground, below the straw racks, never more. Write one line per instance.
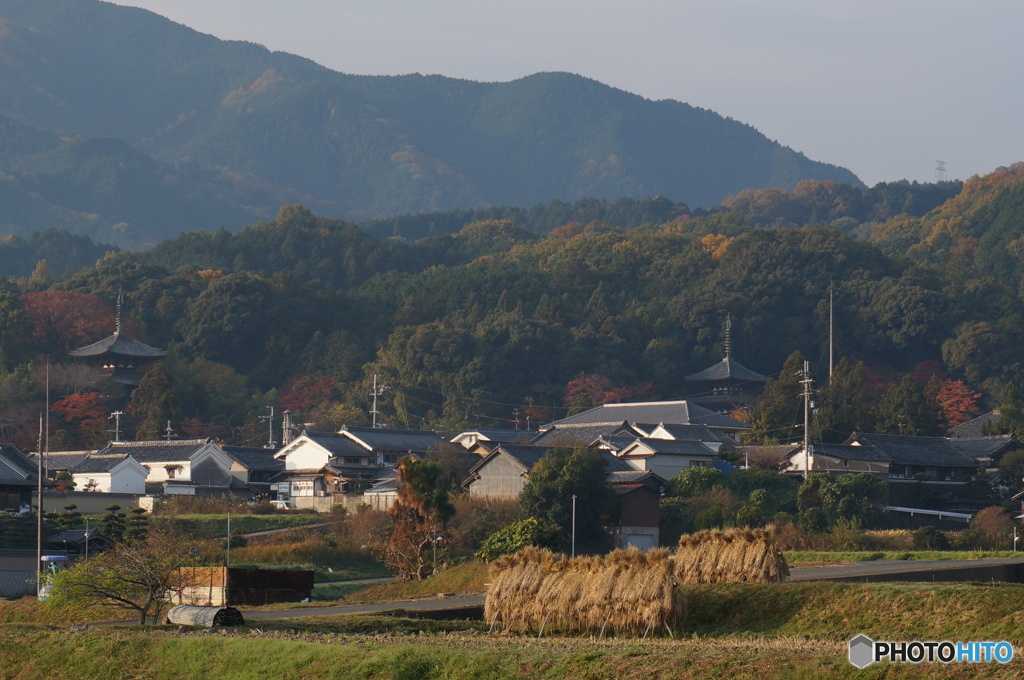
(31, 655)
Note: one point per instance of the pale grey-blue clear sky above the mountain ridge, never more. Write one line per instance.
(886, 89)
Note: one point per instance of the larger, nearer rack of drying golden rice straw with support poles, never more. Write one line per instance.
(626, 591)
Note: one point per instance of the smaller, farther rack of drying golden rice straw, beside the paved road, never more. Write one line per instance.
(744, 556)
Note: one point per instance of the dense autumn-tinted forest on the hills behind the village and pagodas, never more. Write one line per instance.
(498, 322)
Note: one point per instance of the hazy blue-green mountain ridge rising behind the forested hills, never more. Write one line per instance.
(234, 131)
